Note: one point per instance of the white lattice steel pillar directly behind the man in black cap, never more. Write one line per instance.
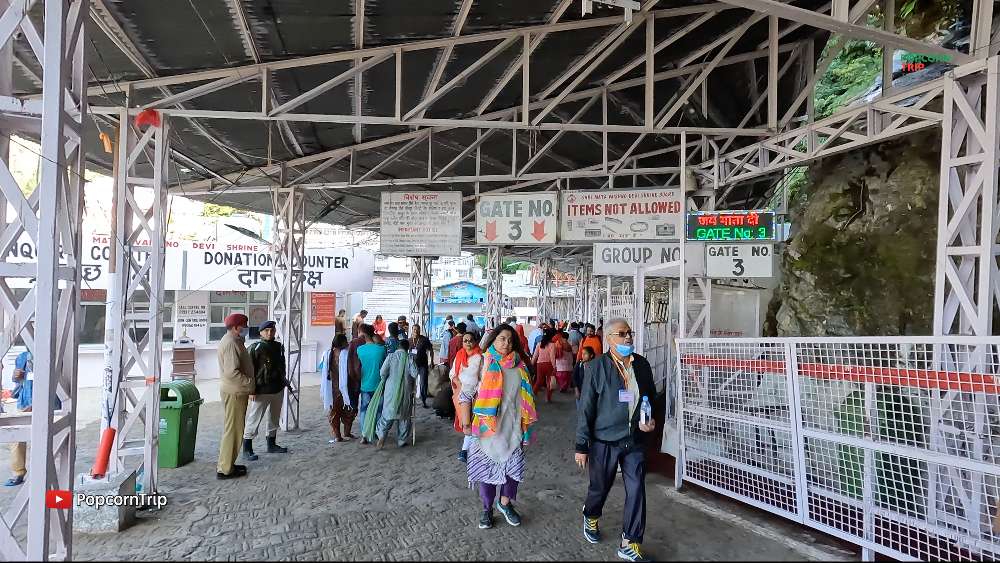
(287, 261)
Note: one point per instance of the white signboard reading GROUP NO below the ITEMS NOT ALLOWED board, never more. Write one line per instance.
(622, 259)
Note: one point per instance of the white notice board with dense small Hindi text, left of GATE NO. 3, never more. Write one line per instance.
(421, 223)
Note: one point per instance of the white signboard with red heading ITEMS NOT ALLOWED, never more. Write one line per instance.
(605, 215)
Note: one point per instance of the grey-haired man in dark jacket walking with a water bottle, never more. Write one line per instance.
(608, 435)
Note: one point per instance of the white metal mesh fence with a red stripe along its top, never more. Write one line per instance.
(890, 443)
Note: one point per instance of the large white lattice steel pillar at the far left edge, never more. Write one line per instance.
(46, 317)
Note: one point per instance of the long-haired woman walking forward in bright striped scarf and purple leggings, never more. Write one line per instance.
(498, 408)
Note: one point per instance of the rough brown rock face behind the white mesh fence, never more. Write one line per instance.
(862, 251)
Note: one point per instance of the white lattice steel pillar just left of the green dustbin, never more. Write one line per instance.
(133, 342)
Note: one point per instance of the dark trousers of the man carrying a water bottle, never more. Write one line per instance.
(603, 461)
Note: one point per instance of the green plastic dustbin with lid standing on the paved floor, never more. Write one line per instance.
(179, 405)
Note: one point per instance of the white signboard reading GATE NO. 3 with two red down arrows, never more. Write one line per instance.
(517, 219)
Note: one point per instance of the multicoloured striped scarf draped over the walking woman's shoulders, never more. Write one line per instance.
(487, 406)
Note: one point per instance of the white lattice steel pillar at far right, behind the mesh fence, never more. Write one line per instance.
(967, 282)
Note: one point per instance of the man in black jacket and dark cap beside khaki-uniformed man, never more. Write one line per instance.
(268, 357)
